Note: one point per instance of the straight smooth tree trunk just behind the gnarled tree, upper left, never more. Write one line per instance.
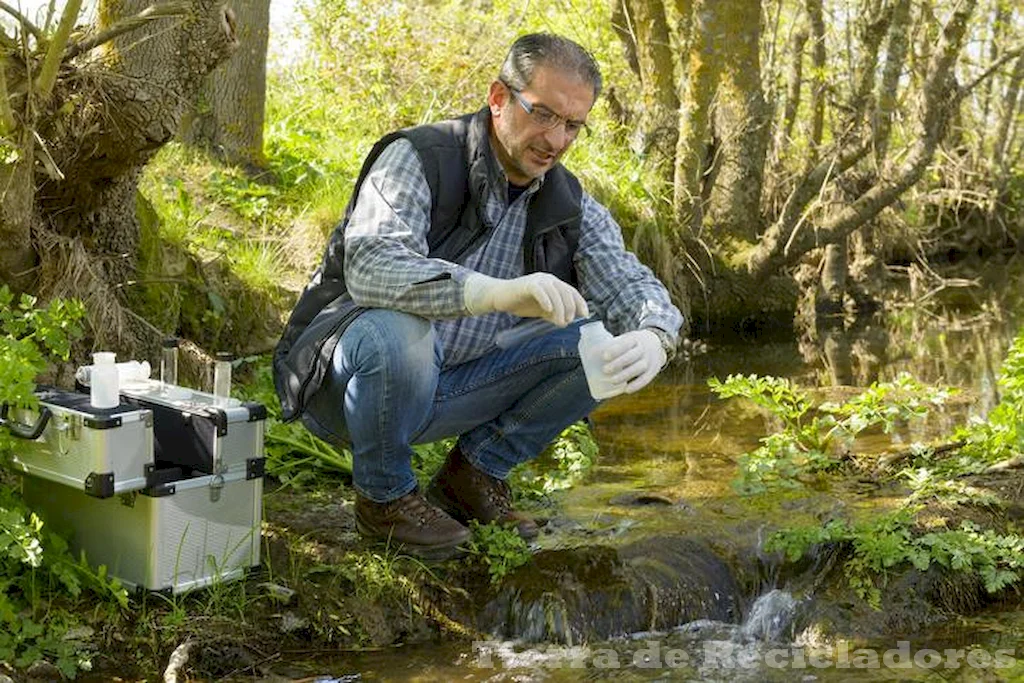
(228, 116)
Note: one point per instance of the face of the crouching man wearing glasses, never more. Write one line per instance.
(526, 147)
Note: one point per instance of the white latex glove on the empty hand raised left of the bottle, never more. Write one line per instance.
(536, 295)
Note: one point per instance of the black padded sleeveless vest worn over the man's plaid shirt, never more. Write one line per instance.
(455, 156)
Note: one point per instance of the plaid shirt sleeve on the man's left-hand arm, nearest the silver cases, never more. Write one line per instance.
(387, 265)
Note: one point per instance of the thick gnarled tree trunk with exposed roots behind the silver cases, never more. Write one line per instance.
(106, 119)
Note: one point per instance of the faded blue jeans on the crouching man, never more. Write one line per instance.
(387, 391)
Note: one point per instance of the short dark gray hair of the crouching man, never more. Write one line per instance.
(547, 50)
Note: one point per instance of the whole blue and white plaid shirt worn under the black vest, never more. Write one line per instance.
(387, 265)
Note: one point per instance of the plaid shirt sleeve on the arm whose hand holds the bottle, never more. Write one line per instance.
(620, 289)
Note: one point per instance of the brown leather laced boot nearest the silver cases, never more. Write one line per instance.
(414, 525)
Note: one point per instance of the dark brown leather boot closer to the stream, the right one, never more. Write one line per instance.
(466, 493)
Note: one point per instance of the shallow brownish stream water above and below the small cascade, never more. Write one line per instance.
(668, 459)
